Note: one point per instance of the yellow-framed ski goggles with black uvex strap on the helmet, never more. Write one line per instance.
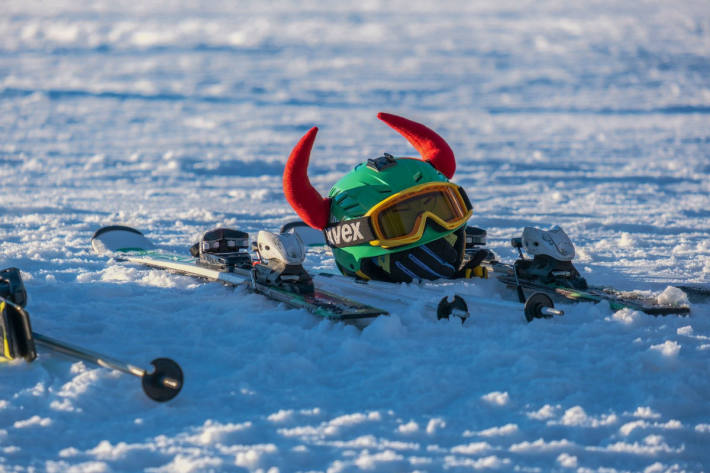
(402, 218)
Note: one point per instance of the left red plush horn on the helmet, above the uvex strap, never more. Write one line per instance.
(313, 208)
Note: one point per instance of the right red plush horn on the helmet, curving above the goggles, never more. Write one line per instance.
(431, 146)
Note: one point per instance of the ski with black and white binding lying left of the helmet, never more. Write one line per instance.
(222, 256)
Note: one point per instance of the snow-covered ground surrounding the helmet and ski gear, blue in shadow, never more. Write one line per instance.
(176, 117)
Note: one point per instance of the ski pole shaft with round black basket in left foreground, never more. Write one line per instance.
(162, 384)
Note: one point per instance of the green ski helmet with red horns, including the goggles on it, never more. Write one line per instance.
(392, 219)
